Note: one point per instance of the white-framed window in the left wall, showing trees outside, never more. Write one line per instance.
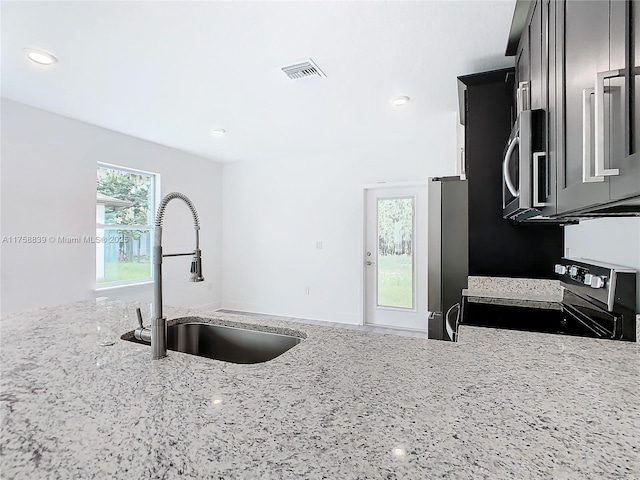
(124, 225)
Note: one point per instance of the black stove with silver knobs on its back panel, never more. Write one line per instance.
(598, 301)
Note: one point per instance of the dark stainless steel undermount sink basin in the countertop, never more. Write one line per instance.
(229, 344)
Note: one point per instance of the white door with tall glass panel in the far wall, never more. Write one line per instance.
(395, 257)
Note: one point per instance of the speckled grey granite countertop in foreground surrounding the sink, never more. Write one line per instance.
(342, 404)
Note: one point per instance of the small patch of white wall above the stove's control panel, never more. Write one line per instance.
(612, 240)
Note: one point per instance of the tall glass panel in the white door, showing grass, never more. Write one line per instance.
(395, 275)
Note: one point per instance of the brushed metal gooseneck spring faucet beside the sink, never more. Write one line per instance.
(157, 334)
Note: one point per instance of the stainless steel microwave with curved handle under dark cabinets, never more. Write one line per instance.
(525, 168)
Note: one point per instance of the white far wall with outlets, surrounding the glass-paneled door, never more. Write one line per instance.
(274, 213)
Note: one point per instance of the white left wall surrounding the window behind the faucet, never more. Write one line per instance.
(48, 188)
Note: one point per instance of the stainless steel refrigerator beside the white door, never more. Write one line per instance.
(448, 244)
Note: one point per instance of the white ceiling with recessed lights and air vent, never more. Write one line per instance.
(169, 72)
